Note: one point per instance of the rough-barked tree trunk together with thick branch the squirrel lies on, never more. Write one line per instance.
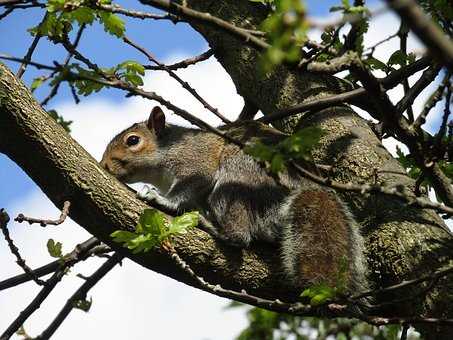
(402, 242)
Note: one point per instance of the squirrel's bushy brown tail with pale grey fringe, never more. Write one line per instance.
(321, 242)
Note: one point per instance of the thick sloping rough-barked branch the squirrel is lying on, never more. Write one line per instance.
(102, 205)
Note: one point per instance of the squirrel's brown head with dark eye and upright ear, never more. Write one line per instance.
(130, 153)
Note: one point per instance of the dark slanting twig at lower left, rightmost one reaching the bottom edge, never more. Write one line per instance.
(80, 294)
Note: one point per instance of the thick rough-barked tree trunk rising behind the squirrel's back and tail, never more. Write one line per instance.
(402, 242)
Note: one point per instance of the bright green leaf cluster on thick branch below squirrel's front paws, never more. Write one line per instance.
(153, 229)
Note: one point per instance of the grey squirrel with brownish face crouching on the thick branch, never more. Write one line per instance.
(198, 170)
